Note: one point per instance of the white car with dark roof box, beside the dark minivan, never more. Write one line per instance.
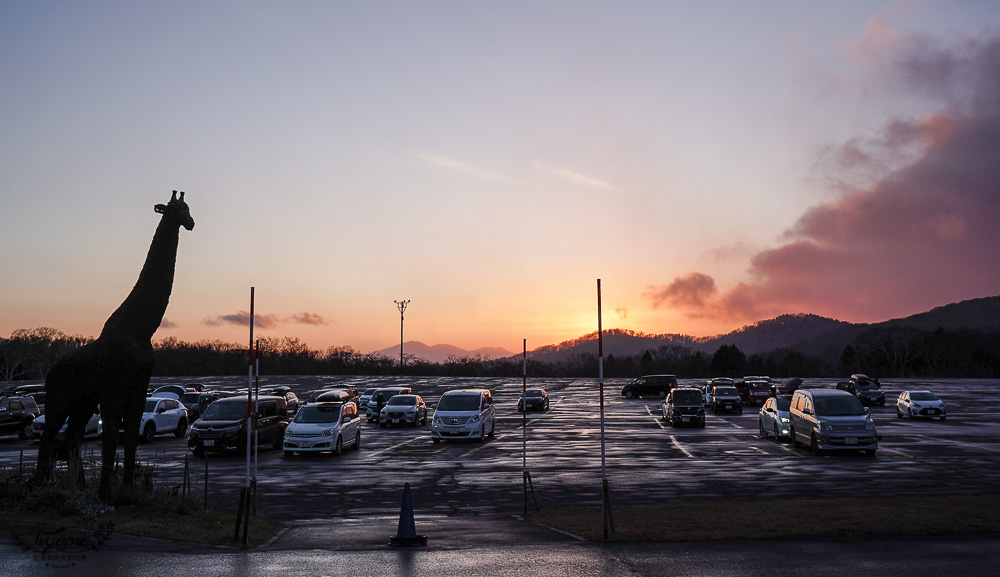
(323, 427)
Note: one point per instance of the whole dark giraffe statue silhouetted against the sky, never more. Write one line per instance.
(114, 370)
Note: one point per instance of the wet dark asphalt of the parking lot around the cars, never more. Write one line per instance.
(646, 458)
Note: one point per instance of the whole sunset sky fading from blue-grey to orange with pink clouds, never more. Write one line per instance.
(714, 163)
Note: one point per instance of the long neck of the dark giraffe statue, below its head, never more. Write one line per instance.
(142, 311)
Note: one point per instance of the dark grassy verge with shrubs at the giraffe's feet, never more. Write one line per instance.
(148, 511)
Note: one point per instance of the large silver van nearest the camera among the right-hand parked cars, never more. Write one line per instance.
(831, 419)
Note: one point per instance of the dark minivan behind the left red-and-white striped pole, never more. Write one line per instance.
(223, 425)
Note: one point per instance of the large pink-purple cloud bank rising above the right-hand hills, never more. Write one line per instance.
(923, 232)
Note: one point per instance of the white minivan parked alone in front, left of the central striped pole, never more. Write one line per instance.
(464, 414)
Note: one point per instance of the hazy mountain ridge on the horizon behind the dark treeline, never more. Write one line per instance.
(808, 333)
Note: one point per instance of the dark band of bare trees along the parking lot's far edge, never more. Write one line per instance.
(881, 352)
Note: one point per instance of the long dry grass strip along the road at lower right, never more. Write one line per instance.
(778, 519)
